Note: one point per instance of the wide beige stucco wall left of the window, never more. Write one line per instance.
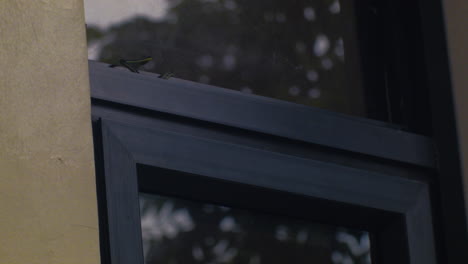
(47, 185)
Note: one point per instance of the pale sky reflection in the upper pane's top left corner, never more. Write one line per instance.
(104, 13)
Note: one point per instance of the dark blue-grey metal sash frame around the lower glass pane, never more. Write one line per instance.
(407, 238)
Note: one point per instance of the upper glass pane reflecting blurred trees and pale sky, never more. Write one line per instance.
(302, 51)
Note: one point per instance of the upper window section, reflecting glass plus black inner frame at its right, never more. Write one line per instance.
(332, 54)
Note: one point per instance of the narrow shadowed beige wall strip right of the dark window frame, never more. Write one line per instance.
(456, 16)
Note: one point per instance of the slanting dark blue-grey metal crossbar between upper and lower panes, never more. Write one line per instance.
(260, 114)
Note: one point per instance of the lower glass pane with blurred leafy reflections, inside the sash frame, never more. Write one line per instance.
(182, 231)
